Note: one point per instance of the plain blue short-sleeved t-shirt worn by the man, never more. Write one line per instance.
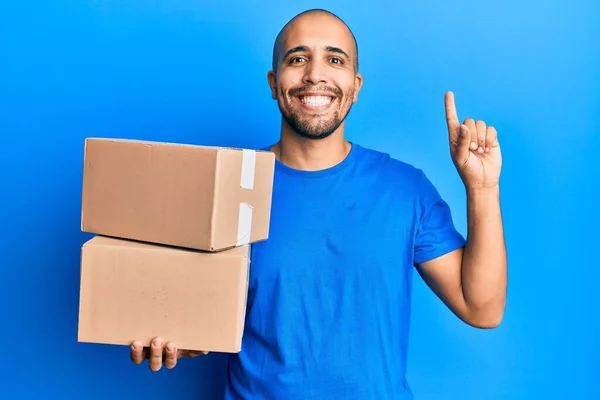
(329, 294)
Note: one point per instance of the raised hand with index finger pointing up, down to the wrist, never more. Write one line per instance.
(474, 149)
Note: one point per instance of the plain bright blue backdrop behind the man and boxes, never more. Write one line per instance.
(196, 73)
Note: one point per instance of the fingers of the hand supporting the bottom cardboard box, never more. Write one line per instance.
(159, 353)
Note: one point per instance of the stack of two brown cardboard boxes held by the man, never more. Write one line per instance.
(171, 256)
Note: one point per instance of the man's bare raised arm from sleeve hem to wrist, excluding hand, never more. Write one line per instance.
(472, 280)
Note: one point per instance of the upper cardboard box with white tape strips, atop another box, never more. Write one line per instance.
(198, 197)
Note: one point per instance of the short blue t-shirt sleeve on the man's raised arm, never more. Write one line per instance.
(436, 234)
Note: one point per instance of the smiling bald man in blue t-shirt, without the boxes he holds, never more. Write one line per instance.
(329, 296)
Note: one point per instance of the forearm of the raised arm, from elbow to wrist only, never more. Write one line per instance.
(484, 269)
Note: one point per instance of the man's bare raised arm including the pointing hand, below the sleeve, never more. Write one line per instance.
(472, 280)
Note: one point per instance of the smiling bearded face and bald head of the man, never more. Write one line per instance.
(315, 83)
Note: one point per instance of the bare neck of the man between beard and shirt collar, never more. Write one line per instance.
(306, 154)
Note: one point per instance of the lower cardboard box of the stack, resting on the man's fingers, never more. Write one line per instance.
(137, 291)
